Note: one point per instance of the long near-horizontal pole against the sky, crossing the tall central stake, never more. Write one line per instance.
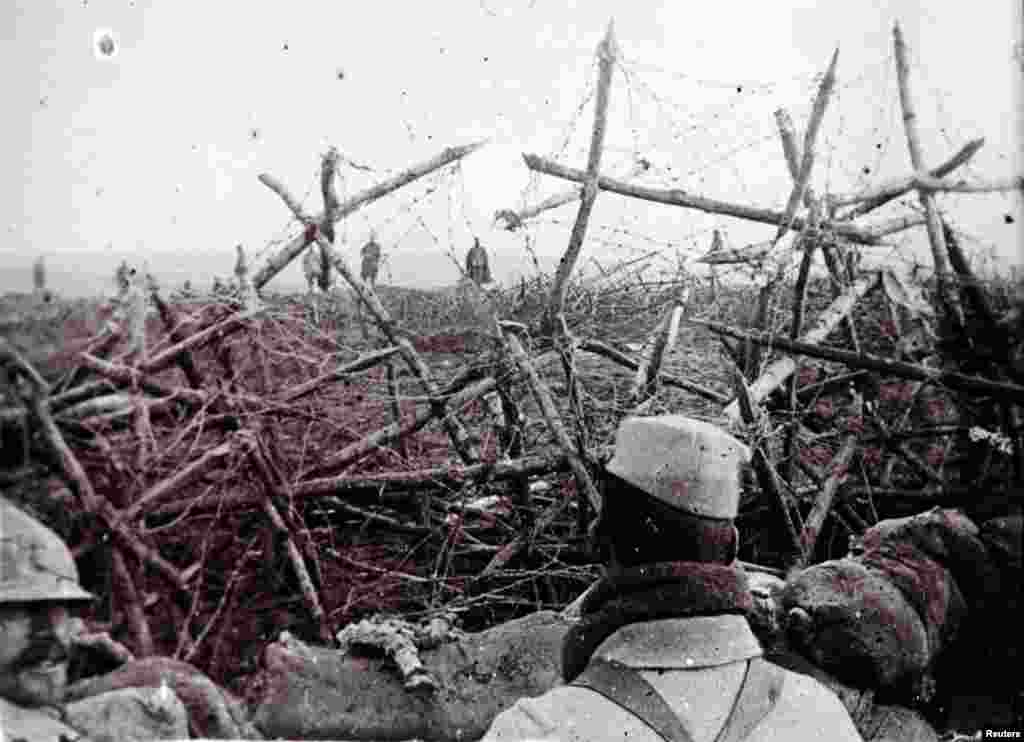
(674, 197)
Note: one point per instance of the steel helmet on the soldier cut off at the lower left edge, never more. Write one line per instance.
(35, 564)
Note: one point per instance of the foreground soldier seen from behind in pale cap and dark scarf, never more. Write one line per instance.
(663, 650)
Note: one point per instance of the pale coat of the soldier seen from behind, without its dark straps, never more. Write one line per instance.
(698, 666)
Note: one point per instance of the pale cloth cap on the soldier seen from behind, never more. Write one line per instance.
(688, 464)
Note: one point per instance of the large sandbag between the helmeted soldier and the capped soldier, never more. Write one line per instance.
(319, 693)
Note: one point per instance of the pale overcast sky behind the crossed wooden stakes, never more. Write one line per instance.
(155, 151)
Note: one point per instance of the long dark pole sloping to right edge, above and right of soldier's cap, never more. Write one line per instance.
(888, 367)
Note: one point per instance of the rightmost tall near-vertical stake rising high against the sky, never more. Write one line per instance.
(935, 238)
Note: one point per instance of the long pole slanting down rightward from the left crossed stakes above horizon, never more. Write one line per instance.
(455, 429)
